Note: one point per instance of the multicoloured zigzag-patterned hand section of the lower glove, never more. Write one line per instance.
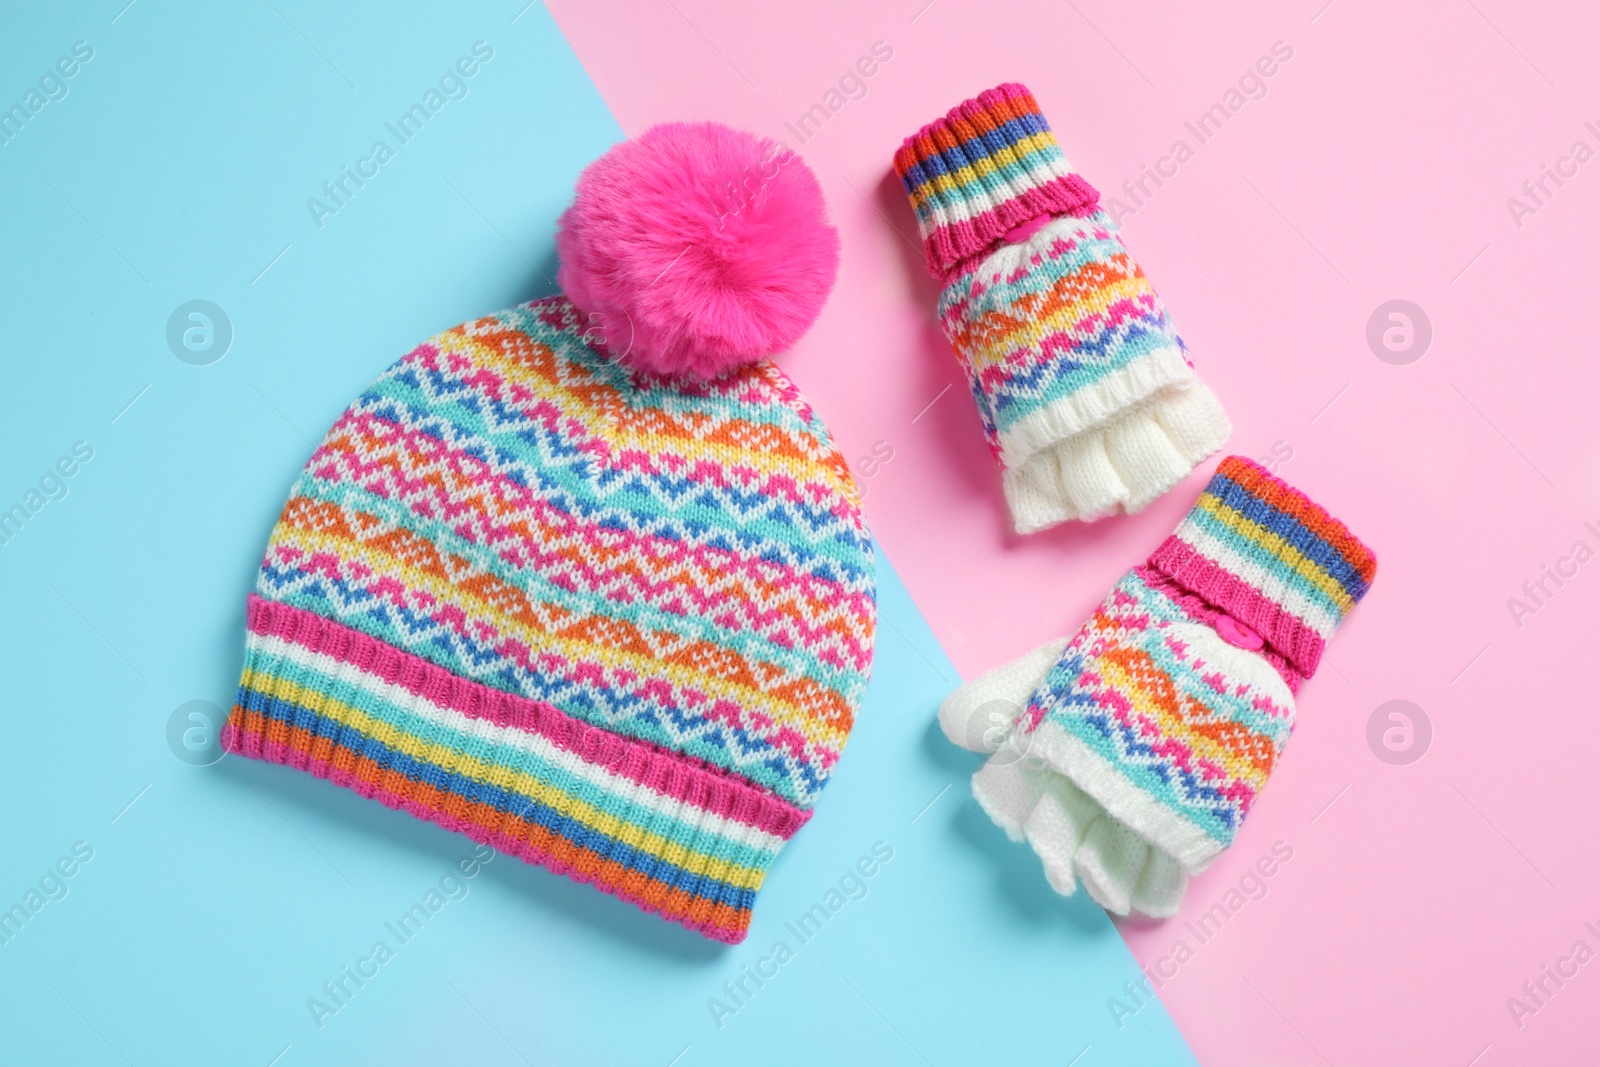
(1137, 692)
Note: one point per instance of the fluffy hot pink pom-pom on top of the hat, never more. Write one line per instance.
(695, 249)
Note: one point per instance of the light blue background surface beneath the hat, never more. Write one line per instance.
(222, 898)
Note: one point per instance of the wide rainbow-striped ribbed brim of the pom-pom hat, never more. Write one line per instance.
(662, 831)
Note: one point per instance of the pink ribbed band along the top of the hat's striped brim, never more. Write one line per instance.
(663, 772)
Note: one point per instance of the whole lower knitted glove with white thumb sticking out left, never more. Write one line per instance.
(1130, 756)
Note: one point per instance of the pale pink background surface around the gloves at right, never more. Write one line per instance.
(1378, 166)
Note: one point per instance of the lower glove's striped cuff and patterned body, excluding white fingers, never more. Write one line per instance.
(1170, 727)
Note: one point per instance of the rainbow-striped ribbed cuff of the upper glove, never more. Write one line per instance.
(986, 169)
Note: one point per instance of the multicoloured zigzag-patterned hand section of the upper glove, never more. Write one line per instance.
(1038, 324)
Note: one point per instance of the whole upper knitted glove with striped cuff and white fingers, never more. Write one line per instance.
(1086, 393)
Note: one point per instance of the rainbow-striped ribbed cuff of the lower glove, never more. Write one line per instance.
(1271, 559)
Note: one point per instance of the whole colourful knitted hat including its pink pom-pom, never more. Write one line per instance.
(582, 581)
